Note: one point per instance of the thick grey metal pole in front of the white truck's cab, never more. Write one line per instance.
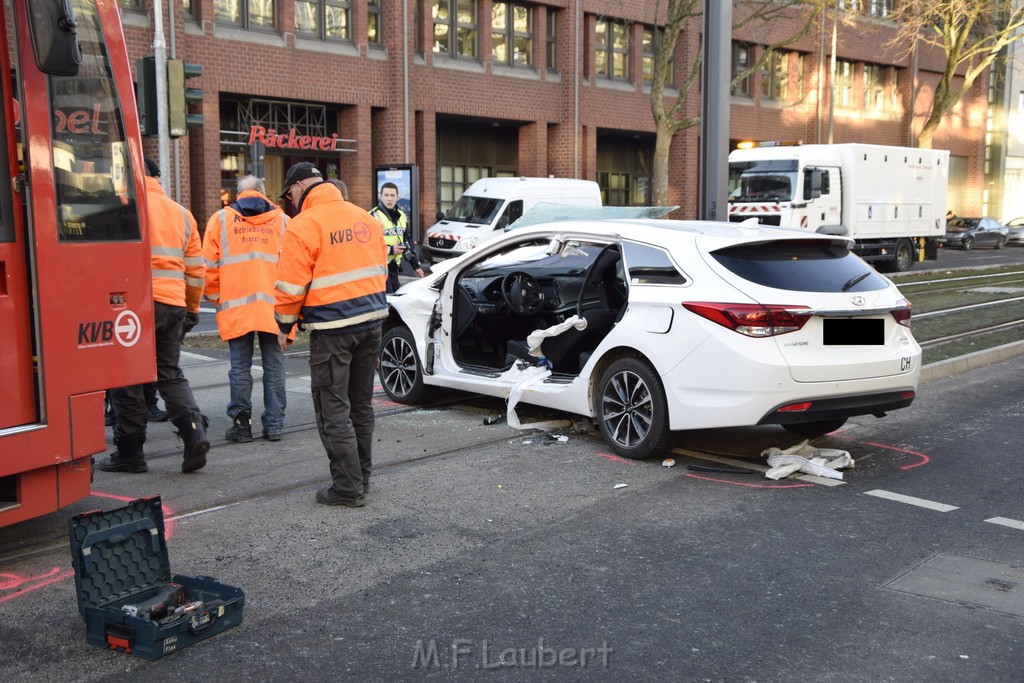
(717, 77)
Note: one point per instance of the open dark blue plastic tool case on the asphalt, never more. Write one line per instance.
(120, 559)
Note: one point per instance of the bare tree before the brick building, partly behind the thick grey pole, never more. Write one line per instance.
(670, 118)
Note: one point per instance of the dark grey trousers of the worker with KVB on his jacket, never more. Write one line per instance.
(342, 371)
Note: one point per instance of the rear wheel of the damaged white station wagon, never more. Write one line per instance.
(632, 412)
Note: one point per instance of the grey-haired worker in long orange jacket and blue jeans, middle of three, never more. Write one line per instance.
(241, 247)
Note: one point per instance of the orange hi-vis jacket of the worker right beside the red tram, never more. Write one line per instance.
(178, 254)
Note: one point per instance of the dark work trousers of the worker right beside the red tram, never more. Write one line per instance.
(130, 403)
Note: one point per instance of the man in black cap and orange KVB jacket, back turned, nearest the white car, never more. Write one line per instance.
(331, 275)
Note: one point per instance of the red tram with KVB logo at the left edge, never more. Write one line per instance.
(76, 305)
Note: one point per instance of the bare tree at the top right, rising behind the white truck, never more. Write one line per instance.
(972, 34)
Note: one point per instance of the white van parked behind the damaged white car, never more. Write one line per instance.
(490, 205)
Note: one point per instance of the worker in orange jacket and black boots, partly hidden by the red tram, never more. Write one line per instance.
(179, 272)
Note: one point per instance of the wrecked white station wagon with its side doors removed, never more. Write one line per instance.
(686, 325)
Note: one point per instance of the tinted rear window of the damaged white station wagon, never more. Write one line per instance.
(802, 267)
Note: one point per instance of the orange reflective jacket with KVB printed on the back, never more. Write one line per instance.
(333, 268)
